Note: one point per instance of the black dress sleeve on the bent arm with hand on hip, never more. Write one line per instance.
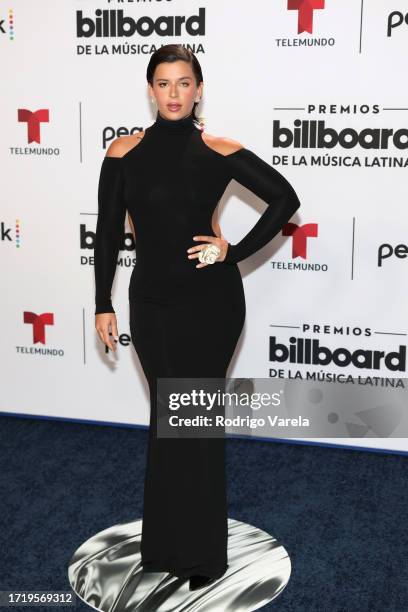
(267, 183)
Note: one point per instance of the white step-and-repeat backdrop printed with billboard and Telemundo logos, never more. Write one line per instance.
(317, 89)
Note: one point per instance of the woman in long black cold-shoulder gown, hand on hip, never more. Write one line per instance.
(186, 316)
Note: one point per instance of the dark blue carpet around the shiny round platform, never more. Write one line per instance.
(341, 514)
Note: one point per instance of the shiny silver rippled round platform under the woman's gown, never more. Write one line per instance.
(105, 572)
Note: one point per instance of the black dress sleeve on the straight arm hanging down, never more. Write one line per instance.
(109, 230)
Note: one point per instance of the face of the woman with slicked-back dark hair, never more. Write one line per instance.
(174, 89)
